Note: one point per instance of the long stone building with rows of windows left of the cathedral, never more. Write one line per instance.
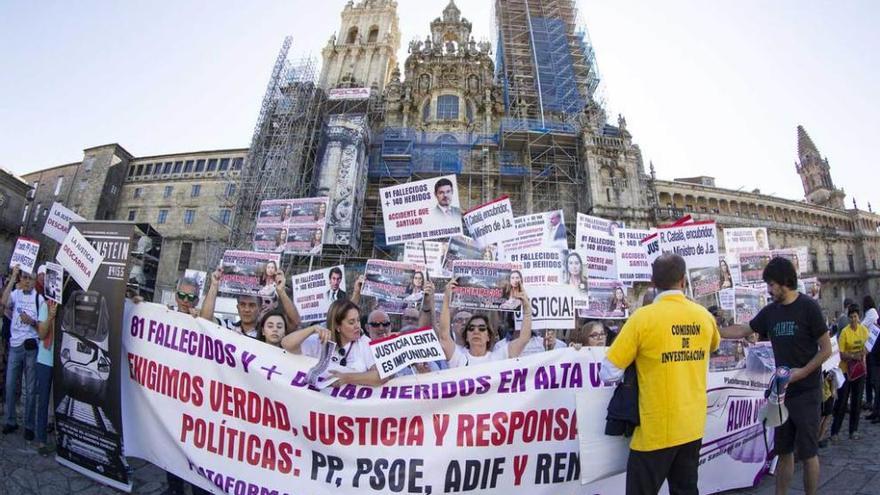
(187, 197)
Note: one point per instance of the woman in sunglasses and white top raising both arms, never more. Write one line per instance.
(479, 337)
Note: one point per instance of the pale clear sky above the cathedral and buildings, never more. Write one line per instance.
(707, 87)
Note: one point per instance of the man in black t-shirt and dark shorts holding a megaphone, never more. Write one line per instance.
(794, 324)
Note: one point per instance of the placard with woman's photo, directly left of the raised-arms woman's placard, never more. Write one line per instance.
(400, 284)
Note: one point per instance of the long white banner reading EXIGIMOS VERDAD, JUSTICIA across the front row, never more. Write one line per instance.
(234, 415)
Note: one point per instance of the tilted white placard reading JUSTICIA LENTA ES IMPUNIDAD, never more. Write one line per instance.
(395, 352)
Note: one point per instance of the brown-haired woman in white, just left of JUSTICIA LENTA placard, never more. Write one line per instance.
(352, 347)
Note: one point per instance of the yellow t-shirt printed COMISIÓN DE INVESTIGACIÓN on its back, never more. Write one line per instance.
(669, 341)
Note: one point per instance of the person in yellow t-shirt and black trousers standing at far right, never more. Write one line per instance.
(851, 340)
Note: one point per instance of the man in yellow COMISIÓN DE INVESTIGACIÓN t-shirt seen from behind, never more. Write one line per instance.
(669, 341)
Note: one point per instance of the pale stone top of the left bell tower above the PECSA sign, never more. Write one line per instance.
(365, 50)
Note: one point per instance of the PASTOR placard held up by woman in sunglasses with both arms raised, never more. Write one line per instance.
(484, 285)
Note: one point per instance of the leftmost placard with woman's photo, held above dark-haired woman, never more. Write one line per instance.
(248, 273)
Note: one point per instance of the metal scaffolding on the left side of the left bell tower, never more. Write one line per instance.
(281, 159)
